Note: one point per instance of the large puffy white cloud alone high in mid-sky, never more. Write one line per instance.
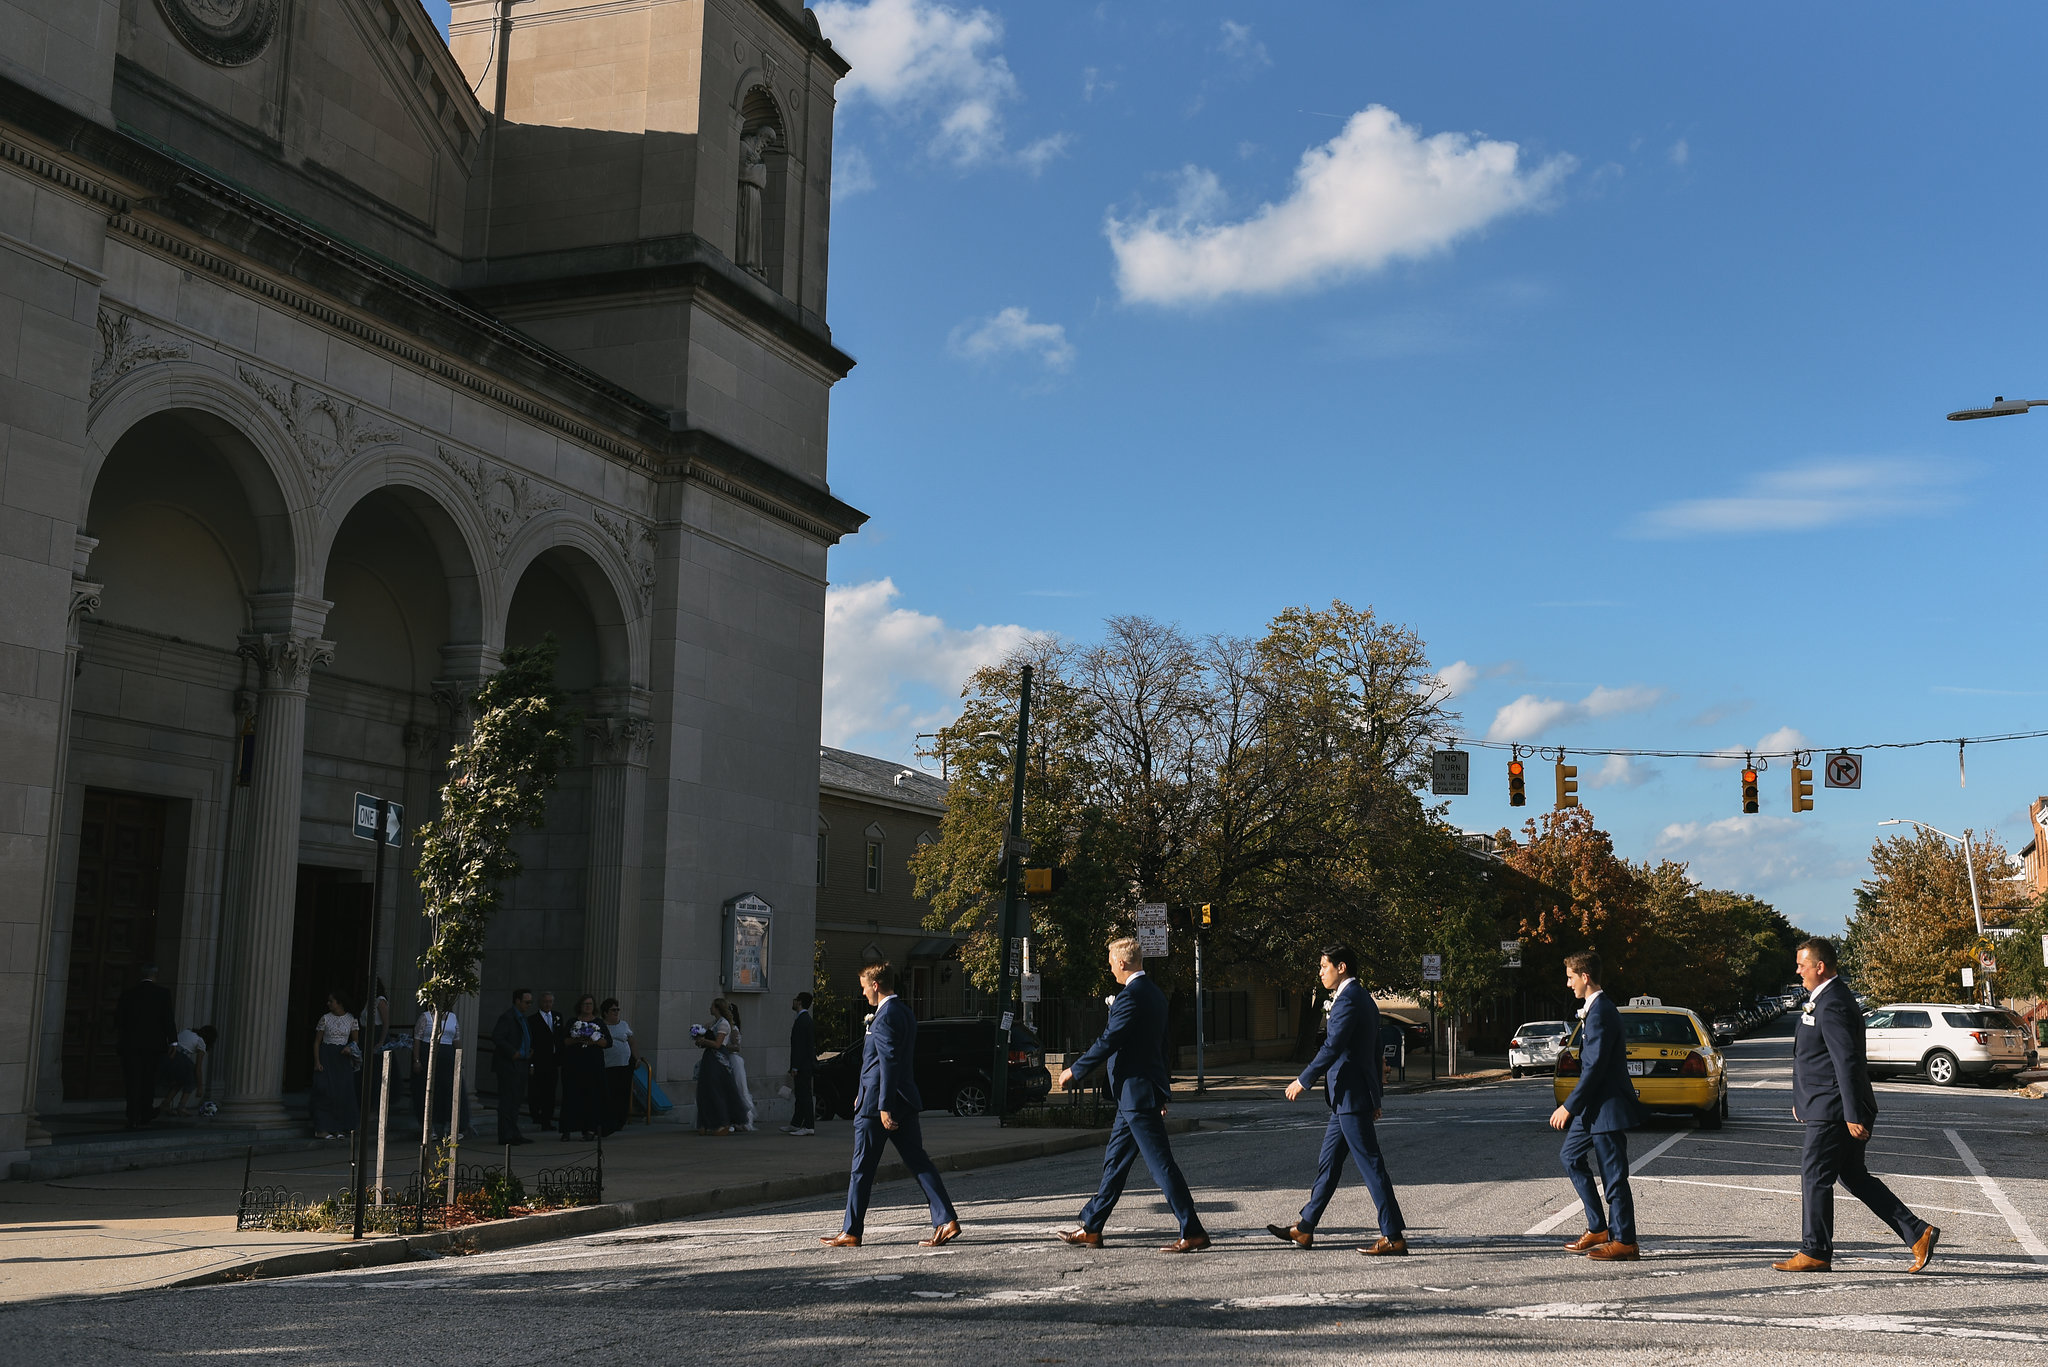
(1373, 194)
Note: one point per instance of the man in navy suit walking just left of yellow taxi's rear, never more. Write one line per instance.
(1596, 1120)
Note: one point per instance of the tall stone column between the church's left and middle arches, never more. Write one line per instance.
(259, 977)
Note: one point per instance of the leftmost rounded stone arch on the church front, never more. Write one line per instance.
(249, 442)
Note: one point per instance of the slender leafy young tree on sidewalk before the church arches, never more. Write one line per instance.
(499, 784)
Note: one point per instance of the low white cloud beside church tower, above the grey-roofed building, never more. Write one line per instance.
(892, 671)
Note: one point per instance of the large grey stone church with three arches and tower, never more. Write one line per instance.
(337, 360)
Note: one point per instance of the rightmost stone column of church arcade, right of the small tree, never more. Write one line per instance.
(611, 870)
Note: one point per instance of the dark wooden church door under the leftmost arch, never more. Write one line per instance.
(114, 931)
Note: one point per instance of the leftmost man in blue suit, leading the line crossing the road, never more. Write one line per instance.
(886, 1112)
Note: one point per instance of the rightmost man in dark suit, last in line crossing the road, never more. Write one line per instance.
(1834, 1097)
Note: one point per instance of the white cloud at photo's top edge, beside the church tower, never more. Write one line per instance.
(933, 63)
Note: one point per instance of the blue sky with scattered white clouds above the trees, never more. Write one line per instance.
(1607, 345)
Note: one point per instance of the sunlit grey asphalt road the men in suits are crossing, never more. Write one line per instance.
(1478, 1175)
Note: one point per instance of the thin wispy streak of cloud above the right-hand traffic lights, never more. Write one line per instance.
(1807, 497)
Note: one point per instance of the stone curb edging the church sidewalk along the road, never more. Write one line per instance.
(622, 1214)
